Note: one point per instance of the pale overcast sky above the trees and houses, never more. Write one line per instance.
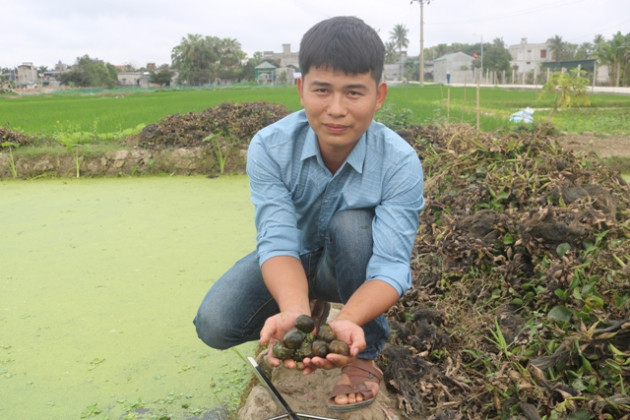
(142, 31)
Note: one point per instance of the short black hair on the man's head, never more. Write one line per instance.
(343, 43)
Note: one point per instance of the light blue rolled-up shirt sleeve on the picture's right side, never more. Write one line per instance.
(396, 223)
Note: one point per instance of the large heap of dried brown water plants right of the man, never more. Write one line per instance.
(521, 298)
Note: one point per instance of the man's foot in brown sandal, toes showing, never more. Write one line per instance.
(358, 386)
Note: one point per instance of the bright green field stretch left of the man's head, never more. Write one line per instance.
(48, 115)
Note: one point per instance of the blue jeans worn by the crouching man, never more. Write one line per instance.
(237, 305)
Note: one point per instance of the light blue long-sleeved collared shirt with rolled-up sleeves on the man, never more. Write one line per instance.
(295, 196)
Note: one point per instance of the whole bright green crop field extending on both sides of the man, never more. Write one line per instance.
(114, 114)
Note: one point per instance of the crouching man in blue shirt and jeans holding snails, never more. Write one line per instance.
(336, 198)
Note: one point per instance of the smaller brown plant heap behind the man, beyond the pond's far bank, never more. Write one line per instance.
(234, 123)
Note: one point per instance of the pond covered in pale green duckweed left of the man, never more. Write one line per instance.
(99, 282)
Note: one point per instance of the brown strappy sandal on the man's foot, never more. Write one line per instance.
(359, 372)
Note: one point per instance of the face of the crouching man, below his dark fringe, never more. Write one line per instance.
(339, 107)
